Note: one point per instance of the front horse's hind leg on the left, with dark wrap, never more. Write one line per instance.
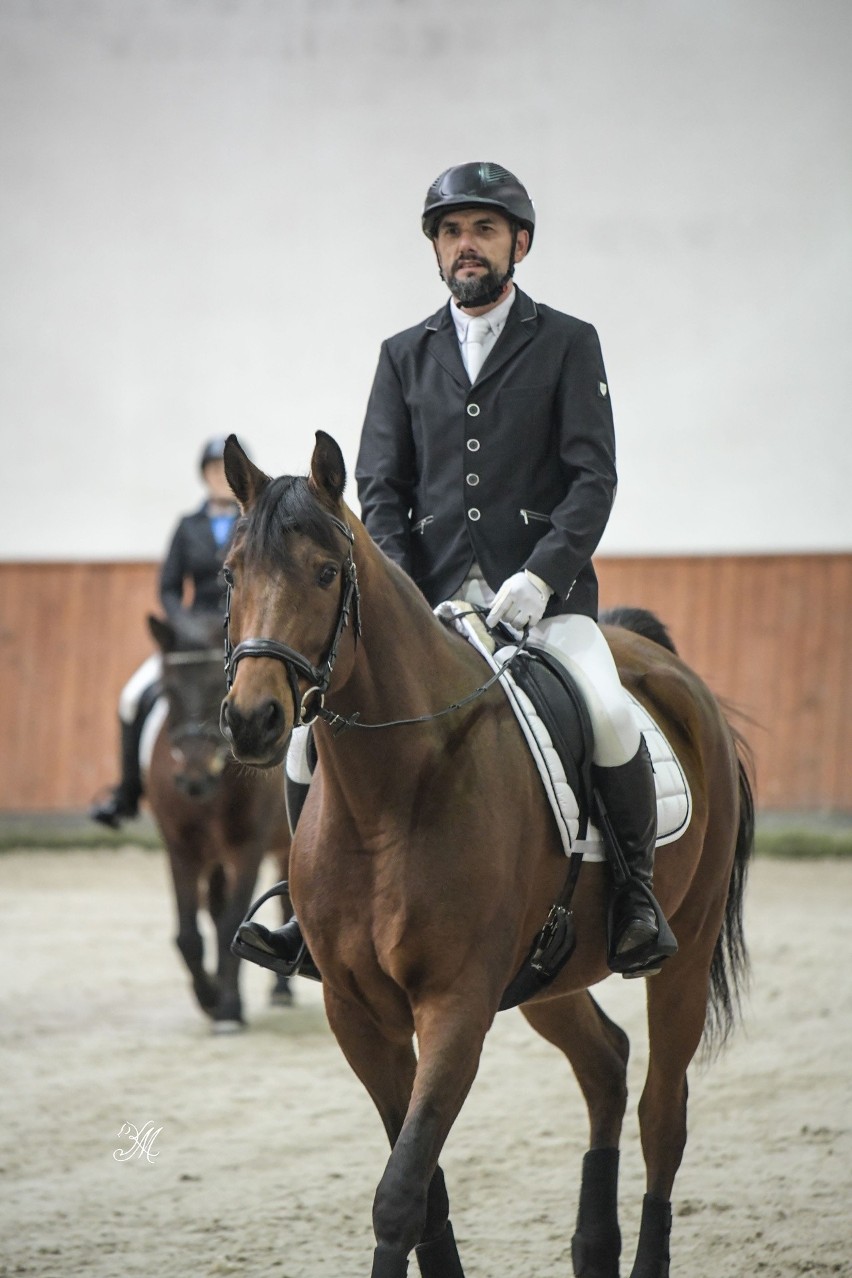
(597, 1050)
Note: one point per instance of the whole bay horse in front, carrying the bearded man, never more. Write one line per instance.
(426, 861)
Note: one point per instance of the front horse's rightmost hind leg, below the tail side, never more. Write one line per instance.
(676, 1013)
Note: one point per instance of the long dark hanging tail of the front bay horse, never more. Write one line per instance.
(730, 966)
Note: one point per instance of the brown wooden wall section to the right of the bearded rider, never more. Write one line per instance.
(773, 636)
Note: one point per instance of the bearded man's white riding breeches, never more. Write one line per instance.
(579, 645)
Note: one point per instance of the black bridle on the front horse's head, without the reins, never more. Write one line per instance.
(294, 663)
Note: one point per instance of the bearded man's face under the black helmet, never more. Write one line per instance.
(475, 249)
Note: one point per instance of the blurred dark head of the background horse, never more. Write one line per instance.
(194, 683)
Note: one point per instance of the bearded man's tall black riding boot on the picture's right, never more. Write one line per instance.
(638, 936)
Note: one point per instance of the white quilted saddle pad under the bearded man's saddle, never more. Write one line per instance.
(674, 798)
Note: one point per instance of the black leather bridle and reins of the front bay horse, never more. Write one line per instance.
(320, 677)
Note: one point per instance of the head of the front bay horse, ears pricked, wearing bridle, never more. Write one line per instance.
(292, 595)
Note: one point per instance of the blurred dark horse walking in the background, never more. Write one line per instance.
(217, 819)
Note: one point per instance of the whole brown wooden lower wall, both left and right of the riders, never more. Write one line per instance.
(773, 635)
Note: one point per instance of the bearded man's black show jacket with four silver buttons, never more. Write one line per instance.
(517, 471)
